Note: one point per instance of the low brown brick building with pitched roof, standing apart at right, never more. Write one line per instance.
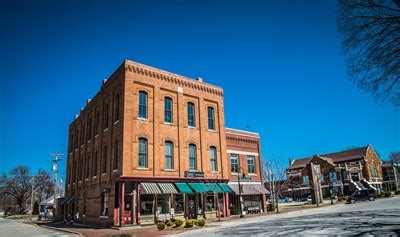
(341, 172)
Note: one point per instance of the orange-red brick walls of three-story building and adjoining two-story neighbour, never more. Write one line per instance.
(104, 150)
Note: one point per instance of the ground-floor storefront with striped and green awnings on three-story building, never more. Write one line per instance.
(165, 200)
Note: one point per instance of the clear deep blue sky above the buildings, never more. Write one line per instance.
(279, 63)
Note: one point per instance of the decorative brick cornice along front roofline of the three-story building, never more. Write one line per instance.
(171, 78)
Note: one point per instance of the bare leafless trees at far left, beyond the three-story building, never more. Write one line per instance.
(17, 184)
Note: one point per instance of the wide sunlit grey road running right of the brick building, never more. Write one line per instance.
(378, 218)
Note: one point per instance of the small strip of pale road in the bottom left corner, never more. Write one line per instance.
(11, 228)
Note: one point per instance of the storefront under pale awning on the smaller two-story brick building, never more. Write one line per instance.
(253, 197)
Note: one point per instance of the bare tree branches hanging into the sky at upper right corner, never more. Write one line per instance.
(370, 32)
